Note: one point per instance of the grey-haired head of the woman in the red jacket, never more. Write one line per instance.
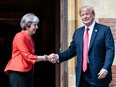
(29, 23)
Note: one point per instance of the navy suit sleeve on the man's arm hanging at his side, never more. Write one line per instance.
(110, 49)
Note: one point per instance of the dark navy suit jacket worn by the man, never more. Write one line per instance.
(101, 53)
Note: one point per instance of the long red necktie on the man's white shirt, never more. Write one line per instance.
(85, 50)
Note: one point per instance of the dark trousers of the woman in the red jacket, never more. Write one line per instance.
(21, 79)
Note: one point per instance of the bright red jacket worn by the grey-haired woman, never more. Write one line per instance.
(23, 57)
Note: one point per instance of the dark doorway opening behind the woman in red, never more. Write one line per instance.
(10, 14)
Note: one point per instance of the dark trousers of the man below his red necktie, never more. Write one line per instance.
(86, 79)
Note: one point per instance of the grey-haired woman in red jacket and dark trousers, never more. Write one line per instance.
(20, 66)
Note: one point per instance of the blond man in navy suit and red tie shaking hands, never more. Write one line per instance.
(100, 52)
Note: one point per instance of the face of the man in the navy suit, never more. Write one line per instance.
(87, 17)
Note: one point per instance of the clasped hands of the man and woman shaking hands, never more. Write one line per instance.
(53, 58)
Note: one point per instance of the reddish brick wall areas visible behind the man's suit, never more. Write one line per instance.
(111, 22)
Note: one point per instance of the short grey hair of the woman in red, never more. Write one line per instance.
(27, 19)
